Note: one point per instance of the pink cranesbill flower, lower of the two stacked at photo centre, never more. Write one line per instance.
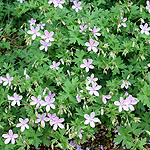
(93, 89)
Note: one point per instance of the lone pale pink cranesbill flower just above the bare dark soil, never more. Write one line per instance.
(90, 119)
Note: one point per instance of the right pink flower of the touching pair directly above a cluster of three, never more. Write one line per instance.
(49, 103)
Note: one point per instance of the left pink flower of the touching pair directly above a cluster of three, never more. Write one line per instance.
(37, 101)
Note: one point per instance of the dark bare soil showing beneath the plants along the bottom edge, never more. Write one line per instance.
(101, 142)
